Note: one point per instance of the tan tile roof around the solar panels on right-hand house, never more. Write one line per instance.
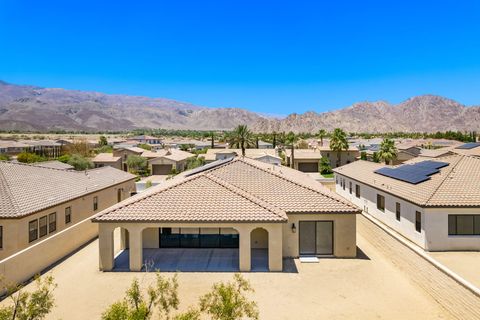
(457, 185)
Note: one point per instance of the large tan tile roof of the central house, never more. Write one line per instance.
(241, 190)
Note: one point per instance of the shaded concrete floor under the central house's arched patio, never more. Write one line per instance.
(193, 260)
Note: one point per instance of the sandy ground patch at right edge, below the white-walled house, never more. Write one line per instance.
(466, 264)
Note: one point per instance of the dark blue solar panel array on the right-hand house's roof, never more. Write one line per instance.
(413, 173)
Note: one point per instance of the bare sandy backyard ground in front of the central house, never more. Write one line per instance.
(365, 288)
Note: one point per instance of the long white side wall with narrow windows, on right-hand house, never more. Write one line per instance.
(368, 203)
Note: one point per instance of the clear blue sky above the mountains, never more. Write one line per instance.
(274, 57)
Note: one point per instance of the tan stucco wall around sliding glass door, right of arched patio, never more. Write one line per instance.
(344, 233)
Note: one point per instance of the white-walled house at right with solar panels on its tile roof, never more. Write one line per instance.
(438, 209)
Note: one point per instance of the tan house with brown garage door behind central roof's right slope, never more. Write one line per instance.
(307, 160)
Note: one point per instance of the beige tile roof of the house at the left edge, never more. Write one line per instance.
(25, 189)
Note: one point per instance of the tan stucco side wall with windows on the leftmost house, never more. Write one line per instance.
(15, 231)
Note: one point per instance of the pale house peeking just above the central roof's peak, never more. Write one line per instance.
(265, 155)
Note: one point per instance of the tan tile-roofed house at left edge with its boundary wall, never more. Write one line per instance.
(44, 213)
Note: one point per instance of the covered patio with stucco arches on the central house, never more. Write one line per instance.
(259, 249)
